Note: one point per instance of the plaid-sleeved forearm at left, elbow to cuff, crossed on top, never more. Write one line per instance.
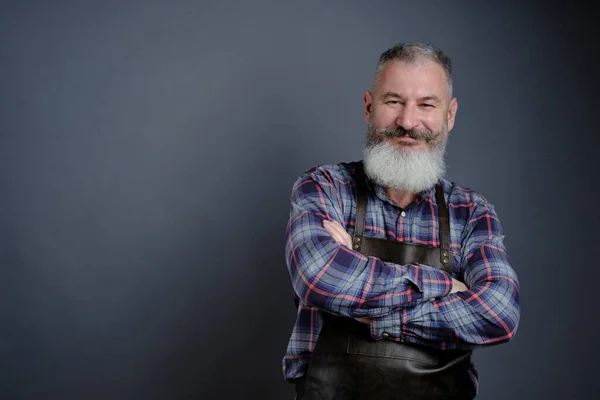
(341, 281)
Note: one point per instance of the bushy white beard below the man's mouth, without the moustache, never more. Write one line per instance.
(403, 168)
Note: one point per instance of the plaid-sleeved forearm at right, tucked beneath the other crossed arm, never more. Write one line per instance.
(485, 315)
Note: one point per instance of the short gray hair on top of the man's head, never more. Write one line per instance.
(415, 52)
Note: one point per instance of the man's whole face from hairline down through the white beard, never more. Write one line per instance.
(409, 114)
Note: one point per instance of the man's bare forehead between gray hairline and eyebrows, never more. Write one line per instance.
(417, 79)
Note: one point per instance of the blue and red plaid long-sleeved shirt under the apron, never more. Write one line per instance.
(409, 303)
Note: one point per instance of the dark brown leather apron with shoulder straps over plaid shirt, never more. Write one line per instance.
(348, 364)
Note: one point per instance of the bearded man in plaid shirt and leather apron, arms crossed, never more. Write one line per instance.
(398, 273)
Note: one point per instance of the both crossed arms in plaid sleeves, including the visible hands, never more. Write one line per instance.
(396, 299)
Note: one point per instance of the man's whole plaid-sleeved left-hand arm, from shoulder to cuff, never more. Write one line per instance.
(336, 278)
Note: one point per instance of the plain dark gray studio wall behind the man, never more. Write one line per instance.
(148, 149)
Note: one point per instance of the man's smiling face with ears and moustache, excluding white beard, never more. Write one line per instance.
(410, 106)
